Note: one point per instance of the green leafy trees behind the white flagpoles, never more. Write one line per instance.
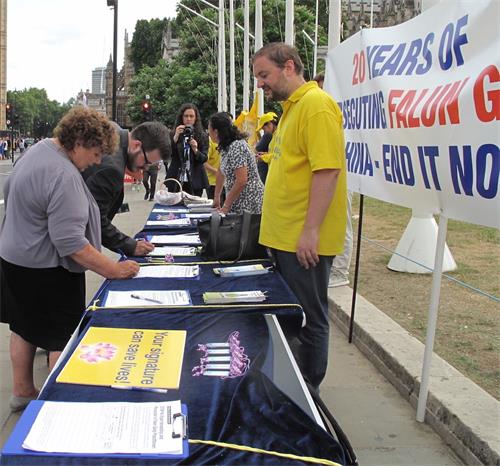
(192, 75)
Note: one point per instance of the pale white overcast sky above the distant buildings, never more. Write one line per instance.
(55, 44)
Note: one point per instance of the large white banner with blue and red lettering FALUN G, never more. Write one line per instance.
(421, 109)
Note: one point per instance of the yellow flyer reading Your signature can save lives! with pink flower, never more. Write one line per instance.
(124, 357)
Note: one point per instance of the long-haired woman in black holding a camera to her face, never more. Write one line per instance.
(189, 152)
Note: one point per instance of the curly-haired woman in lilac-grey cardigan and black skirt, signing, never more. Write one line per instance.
(49, 237)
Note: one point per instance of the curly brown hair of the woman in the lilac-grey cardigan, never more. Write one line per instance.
(89, 128)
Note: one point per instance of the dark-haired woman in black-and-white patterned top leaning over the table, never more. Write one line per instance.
(238, 169)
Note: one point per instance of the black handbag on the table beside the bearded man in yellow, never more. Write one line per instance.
(231, 238)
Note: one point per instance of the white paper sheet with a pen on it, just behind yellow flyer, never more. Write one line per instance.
(147, 298)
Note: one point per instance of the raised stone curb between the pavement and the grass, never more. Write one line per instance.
(462, 413)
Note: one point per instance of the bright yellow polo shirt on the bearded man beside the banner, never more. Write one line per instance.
(309, 137)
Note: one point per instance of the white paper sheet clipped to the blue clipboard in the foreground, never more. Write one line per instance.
(106, 428)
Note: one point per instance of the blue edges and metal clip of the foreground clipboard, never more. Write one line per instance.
(13, 445)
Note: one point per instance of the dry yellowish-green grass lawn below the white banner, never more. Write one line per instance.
(468, 330)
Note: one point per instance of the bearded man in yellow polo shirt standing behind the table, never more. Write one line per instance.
(304, 209)
